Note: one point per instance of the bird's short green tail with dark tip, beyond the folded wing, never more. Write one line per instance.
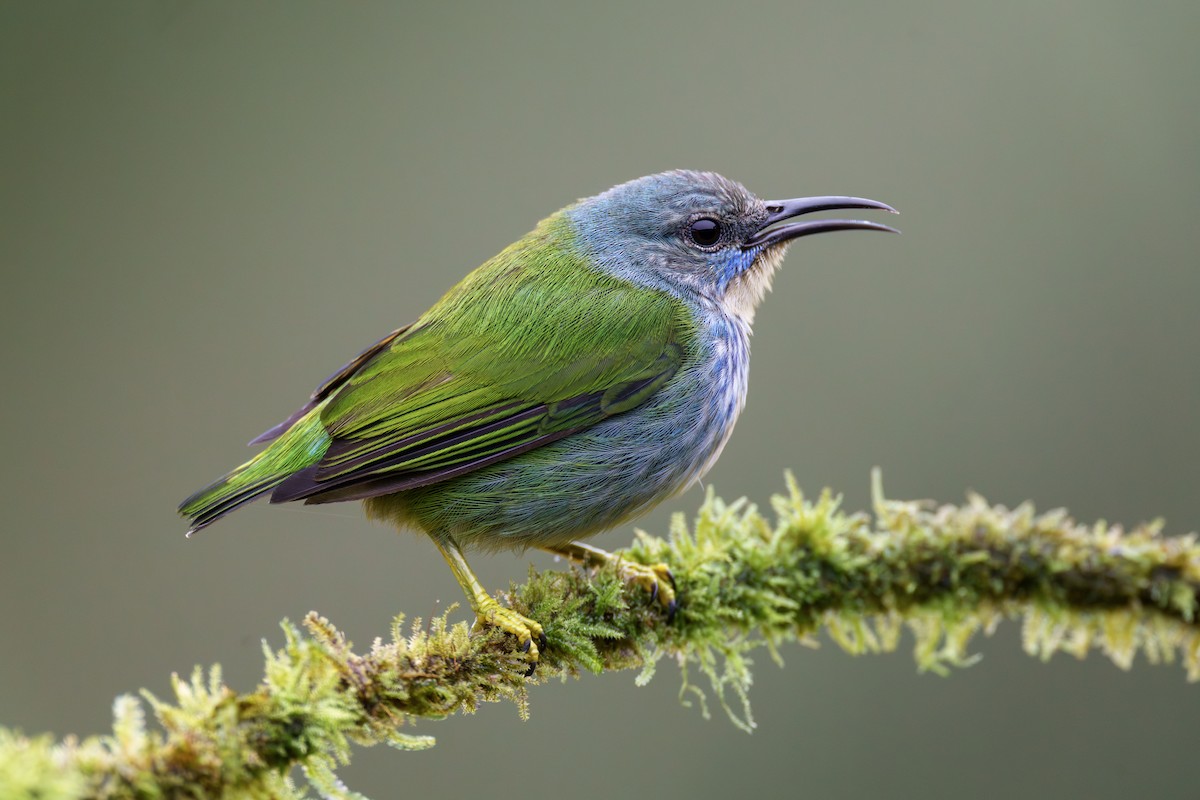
(302, 446)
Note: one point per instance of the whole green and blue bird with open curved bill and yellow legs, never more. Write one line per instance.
(590, 371)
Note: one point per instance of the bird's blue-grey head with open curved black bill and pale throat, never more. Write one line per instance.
(701, 236)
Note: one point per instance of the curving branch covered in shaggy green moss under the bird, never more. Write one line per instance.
(945, 574)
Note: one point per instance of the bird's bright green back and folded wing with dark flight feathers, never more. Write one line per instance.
(508, 362)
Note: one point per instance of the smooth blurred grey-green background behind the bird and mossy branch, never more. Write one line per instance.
(207, 208)
